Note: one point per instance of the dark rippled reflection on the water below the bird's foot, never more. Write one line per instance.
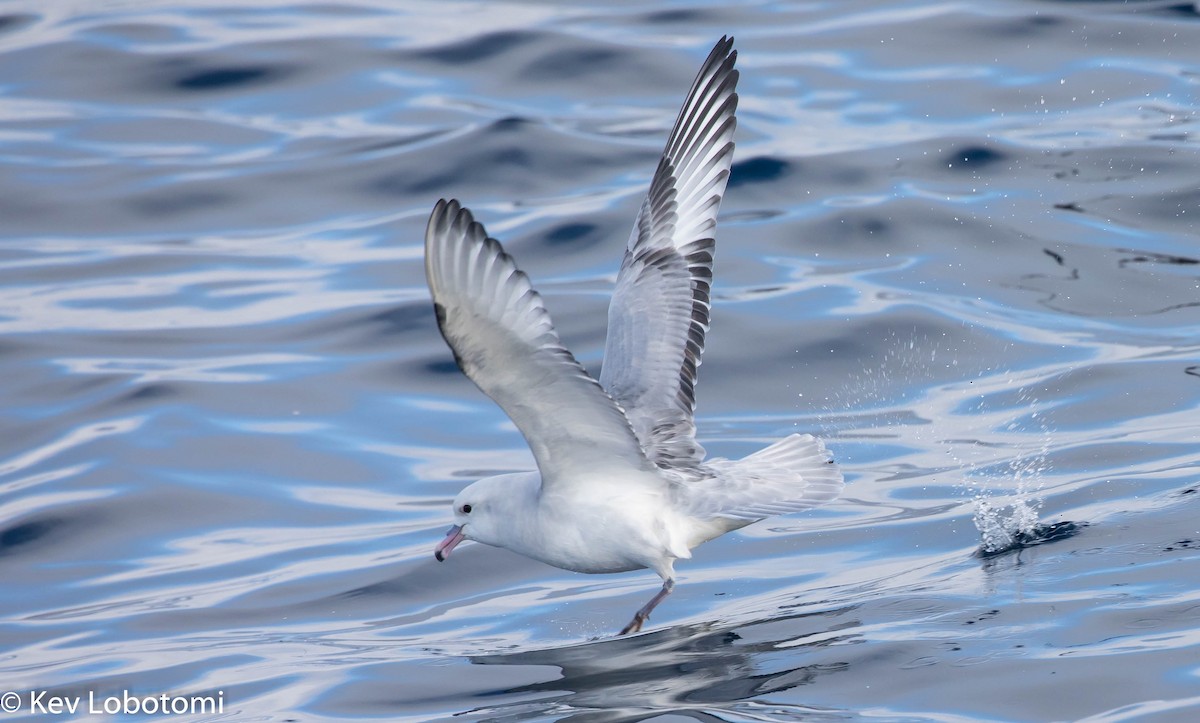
(697, 672)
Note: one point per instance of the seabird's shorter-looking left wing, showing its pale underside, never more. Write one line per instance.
(505, 342)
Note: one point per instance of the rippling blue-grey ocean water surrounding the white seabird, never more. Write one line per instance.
(959, 243)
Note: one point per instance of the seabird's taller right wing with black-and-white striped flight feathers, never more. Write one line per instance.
(659, 312)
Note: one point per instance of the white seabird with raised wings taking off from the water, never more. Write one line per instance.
(622, 483)
